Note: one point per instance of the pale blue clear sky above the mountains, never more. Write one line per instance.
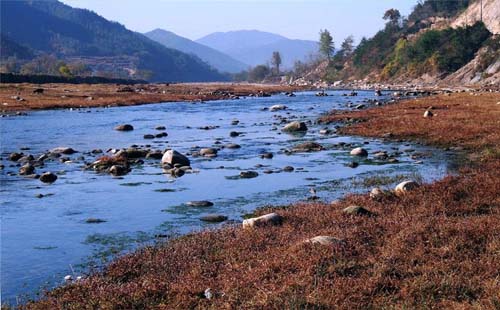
(295, 19)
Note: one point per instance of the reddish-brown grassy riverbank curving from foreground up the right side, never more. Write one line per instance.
(435, 246)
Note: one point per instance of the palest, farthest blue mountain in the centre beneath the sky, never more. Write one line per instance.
(256, 47)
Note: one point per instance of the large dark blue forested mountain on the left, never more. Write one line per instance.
(51, 27)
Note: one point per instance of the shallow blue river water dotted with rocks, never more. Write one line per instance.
(44, 239)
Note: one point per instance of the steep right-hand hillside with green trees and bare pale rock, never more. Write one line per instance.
(438, 43)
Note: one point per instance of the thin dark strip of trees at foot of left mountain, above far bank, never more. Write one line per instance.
(42, 79)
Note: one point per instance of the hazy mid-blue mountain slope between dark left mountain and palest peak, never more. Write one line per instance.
(216, 59)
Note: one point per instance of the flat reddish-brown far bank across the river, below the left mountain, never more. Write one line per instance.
(24, 97)
